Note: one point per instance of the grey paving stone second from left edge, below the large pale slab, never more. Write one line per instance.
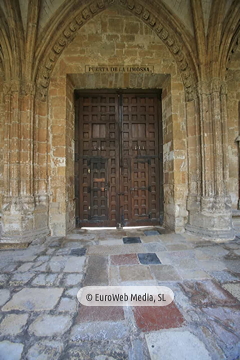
(50, 325)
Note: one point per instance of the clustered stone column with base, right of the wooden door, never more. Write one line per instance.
(212, 215)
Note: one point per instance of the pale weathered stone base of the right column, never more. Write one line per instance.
(212, 219)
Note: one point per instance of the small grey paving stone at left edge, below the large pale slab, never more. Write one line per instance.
(13, 324)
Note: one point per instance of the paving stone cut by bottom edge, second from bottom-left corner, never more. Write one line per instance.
(45, 350)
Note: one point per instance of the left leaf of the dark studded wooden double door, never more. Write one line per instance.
(99, 160)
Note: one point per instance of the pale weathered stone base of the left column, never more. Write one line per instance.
(24, 220)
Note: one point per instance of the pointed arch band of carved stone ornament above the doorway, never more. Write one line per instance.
(150, 17)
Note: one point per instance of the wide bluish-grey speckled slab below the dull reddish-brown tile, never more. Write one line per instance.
(98, 331)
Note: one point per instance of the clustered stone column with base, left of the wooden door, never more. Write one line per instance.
(19, 203)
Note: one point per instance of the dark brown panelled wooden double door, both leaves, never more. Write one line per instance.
(118, 159)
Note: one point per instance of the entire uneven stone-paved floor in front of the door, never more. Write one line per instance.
(42, 319)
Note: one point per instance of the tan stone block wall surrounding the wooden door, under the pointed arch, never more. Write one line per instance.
(116, 37)
